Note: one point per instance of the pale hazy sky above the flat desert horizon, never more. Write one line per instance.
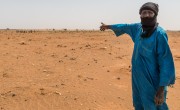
(81, 14)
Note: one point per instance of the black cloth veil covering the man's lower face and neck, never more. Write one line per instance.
(149, 24)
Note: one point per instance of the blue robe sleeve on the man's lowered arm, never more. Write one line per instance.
(165, 61)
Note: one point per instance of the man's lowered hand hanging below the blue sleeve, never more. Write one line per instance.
(159, 98)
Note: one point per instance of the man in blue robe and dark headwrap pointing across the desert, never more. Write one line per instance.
(152, 63)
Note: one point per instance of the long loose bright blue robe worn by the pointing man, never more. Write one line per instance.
(152, 65)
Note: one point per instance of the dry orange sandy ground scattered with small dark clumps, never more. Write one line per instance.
(88, 70)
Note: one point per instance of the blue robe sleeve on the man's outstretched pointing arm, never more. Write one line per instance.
(130, 29)
